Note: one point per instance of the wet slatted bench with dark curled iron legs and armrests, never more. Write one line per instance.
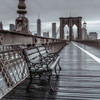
(41, 63)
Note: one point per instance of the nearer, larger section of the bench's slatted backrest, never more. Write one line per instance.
(32, 55)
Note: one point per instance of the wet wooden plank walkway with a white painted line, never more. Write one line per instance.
(79, 78)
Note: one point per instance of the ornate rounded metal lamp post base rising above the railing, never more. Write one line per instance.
(22, 23)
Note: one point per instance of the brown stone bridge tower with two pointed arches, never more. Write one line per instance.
(70, 21)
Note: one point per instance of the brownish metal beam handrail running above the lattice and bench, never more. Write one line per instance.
(13, 37)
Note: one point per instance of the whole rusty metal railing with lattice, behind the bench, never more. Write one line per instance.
(13, 67)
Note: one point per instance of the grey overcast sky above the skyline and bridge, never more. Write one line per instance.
(51, 10)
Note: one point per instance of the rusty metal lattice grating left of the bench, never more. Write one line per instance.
(13, 68)
